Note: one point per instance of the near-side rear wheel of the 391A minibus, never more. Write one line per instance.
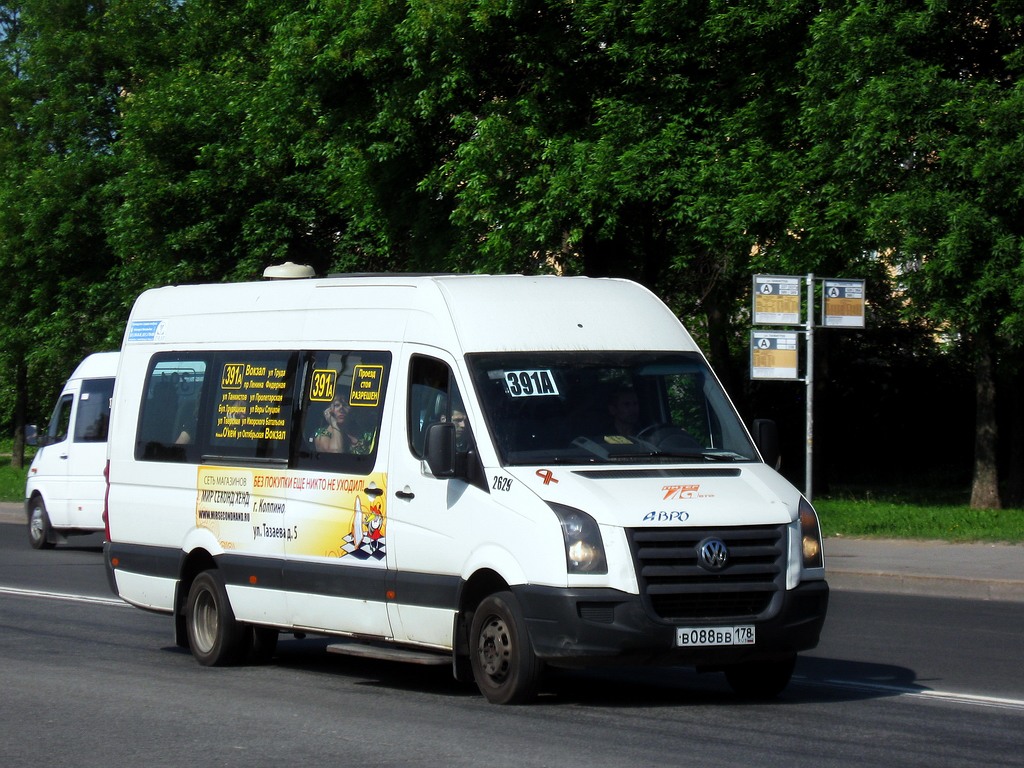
(216, 638)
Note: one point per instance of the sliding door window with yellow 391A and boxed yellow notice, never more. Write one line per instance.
(344, 401)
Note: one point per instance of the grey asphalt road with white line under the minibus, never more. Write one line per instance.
(899, 680)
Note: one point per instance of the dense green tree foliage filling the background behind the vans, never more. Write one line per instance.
(686, 144)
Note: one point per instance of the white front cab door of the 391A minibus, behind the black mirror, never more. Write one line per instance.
(435, 523)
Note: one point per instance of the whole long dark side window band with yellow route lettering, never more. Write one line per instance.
(314, 410)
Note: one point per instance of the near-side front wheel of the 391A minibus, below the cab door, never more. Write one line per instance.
(504, 665)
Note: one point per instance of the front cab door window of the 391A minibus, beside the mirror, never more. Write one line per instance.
(435, 398)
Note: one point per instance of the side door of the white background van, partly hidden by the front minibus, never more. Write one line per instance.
(88, 454)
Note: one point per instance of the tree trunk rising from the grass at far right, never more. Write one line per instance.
(986, 488)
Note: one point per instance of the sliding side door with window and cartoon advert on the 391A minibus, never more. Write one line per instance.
(337, 532)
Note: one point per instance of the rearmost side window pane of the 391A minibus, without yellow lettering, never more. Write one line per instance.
(169, 417)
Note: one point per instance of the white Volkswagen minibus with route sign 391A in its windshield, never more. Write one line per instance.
(501, 474)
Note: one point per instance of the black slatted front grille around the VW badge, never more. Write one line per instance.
(675, 587)
